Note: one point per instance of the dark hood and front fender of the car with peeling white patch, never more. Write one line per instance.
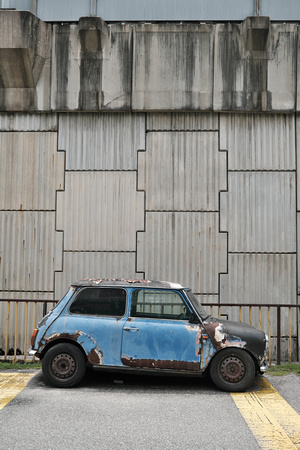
(225, 333)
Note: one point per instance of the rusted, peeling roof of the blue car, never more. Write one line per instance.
(121, 282)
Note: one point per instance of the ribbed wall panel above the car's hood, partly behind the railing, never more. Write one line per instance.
(260, 279)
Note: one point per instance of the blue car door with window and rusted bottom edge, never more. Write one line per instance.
(158, 334)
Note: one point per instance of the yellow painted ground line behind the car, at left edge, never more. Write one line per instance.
(11, 384)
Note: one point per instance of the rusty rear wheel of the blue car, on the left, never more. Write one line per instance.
(63, 365)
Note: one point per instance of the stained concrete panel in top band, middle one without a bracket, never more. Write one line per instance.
(172, 67)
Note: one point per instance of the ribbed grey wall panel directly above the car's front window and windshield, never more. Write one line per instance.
(185, 247)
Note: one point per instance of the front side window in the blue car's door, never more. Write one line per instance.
(158, 304)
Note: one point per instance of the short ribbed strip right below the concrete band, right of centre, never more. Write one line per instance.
(182, 121)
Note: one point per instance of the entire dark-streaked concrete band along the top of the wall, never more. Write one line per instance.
(248, 66)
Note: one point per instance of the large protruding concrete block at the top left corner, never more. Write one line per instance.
(25, 43)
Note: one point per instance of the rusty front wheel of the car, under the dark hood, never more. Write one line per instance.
(232, 370)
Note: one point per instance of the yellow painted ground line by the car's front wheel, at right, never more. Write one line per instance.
(273, 422)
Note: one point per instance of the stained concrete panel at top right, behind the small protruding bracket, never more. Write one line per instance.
(254, 75)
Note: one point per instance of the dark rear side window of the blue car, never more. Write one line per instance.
(100, 302)
